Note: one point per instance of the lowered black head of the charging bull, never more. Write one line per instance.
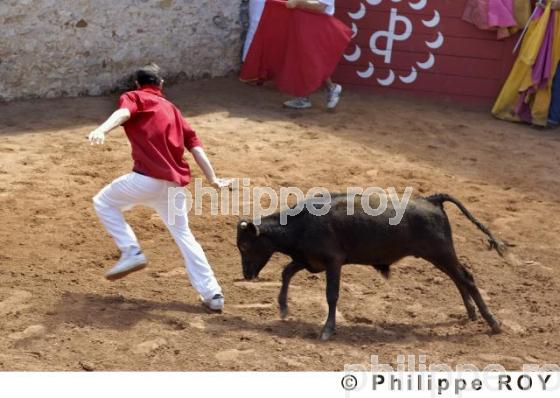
(255, 249)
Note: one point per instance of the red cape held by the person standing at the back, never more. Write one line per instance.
(296, 49)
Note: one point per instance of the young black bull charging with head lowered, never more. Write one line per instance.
(325, 243)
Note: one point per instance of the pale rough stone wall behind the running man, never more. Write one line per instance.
(52, 48)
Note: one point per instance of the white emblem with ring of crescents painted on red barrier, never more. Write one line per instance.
(399, 29)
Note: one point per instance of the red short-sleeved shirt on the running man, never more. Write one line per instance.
(158, 134)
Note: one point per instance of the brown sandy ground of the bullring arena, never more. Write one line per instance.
(59, 313)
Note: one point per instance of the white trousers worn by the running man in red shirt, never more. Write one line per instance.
(135, 189)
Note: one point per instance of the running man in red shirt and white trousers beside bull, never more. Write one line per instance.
(158, 134)
